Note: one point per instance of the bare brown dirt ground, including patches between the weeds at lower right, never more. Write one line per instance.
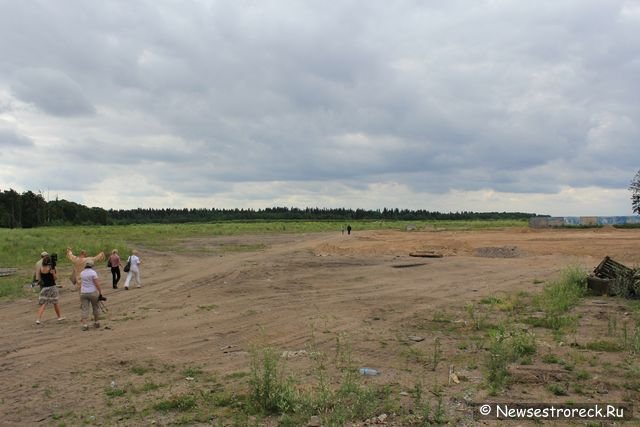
(203, 308)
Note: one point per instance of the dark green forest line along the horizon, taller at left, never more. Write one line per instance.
(28, 210)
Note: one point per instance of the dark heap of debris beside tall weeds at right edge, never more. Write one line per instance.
(612, 278)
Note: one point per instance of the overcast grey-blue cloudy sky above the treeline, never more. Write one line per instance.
(445, 105)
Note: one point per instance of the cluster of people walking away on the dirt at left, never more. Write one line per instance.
(86, 278)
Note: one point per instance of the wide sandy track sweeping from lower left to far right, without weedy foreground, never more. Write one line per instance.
(207, 310)
